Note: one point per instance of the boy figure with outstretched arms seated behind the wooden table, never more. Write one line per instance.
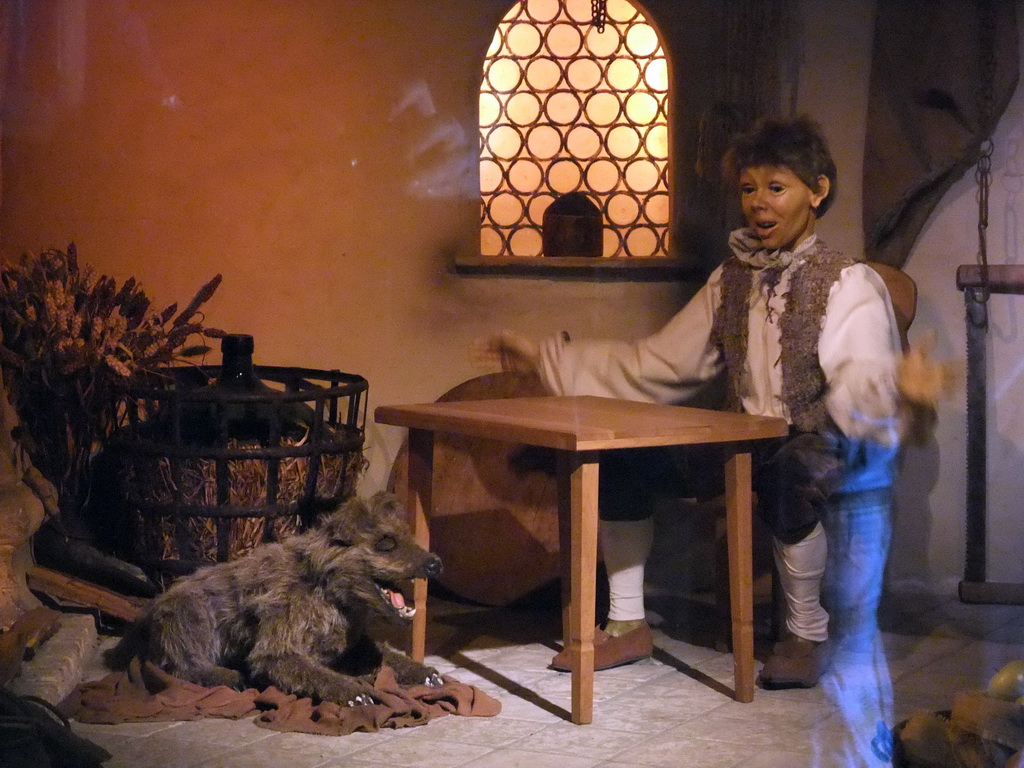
(800, 332)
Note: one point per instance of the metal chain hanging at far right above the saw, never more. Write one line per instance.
(987, 100)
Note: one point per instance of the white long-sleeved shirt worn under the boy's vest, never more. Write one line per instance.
(859, 350)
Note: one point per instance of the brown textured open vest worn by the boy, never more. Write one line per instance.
(800, 326)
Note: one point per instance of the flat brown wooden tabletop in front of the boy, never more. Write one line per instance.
(582, 423)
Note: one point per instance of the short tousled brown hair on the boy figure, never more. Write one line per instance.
(797, 144)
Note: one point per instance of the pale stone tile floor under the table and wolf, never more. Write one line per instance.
(670, 712)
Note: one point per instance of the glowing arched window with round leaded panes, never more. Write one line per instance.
(566, 108)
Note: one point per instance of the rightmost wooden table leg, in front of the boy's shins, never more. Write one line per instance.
(739, 532)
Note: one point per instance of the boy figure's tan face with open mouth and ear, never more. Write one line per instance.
(779, 206)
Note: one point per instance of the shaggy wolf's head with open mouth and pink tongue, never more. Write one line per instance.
(364, 553)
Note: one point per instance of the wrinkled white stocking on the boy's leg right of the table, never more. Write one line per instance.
(801, 568)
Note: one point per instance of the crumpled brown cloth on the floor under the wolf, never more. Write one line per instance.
(147, 694)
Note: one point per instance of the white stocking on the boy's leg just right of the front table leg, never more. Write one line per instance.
(627, 545)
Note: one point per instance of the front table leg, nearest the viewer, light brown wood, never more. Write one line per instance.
(578, 478)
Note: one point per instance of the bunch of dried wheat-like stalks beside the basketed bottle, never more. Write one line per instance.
(73, 343)
